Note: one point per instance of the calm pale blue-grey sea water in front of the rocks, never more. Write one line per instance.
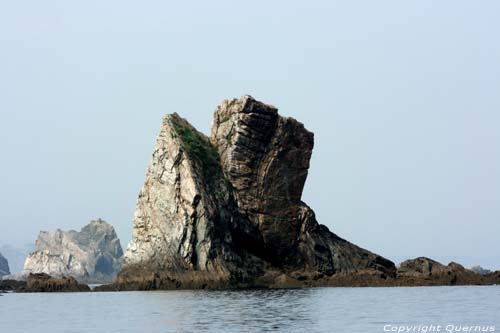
(300, 310)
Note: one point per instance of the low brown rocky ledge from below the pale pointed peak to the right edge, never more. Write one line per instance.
(411, 273)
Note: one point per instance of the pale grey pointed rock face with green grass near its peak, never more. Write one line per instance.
(184, 217)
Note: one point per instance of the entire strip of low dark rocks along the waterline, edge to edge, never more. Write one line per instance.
(411, 273)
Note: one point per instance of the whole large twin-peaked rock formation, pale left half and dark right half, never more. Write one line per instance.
(226, 211)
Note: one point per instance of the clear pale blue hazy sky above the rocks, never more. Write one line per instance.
(403, 98)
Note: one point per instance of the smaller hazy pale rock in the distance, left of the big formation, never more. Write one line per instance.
(92, 255)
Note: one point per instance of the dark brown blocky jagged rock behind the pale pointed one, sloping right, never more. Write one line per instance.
(266, 159)
